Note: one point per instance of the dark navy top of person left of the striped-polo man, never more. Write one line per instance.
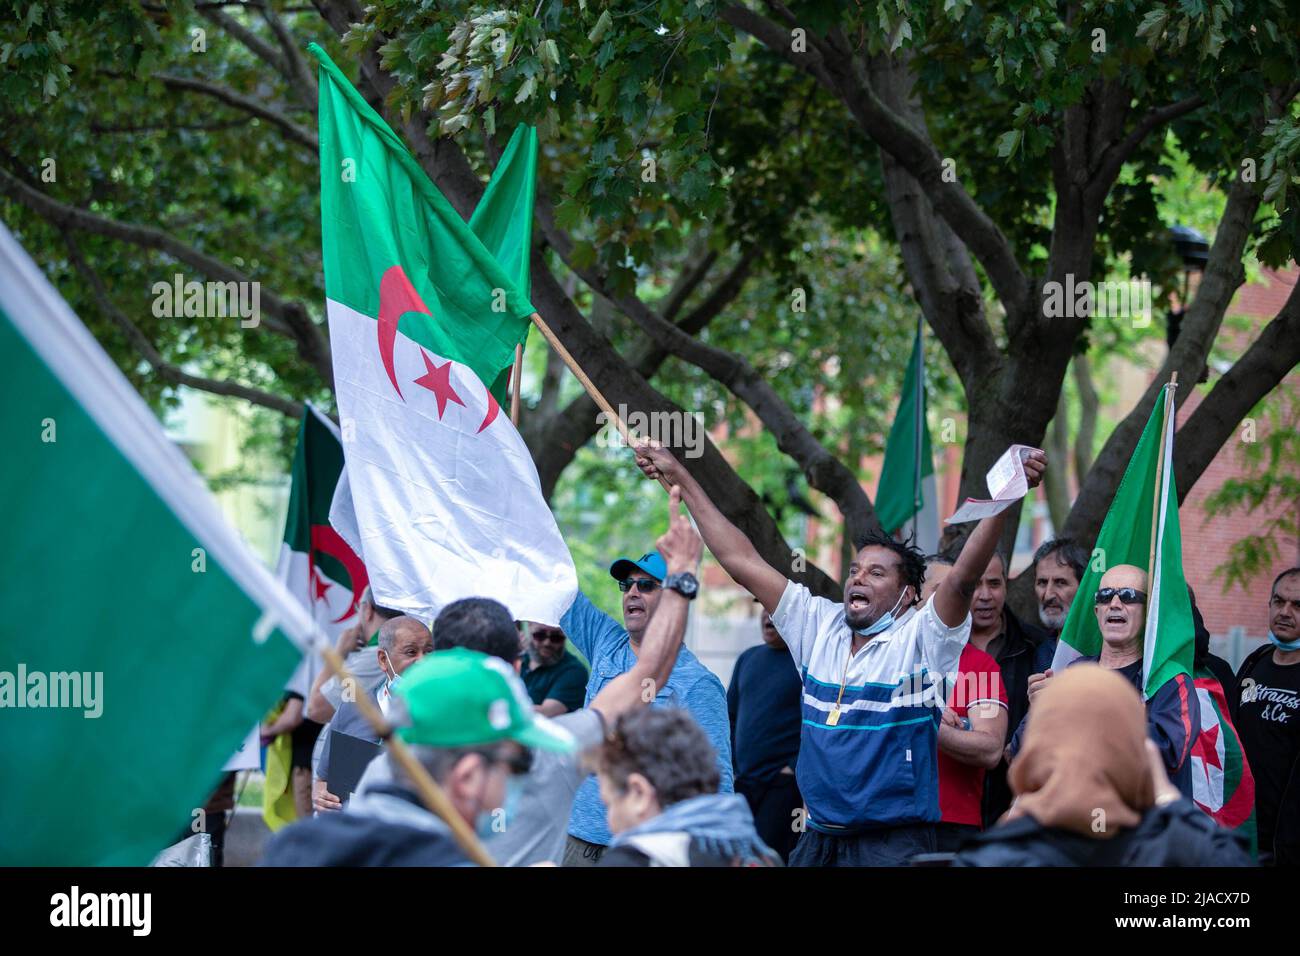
(764, 703)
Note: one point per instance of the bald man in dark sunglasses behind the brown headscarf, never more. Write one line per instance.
(1173, 716)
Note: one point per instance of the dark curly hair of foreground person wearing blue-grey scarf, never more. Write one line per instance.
(665, 746)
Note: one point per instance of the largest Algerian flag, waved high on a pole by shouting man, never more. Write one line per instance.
(423, 319)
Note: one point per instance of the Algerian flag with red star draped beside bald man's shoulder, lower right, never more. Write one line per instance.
(1223, 784)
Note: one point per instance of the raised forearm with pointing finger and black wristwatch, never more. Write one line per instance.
(681, 548)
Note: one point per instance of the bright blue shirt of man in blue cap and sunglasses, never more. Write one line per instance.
(605, 643)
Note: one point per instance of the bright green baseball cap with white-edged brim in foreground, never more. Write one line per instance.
(461, 698)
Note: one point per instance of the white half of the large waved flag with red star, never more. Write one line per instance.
(447, 507)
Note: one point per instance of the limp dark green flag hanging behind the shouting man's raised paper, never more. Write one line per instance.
(907, 499)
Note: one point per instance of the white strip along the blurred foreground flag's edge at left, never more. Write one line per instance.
(68, 349)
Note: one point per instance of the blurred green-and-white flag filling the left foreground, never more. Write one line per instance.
(141, 637)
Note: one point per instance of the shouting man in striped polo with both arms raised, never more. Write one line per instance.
(873, 669)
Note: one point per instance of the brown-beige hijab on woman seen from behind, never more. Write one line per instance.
(1084, 765)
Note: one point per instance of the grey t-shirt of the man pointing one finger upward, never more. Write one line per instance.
(538, 829)
